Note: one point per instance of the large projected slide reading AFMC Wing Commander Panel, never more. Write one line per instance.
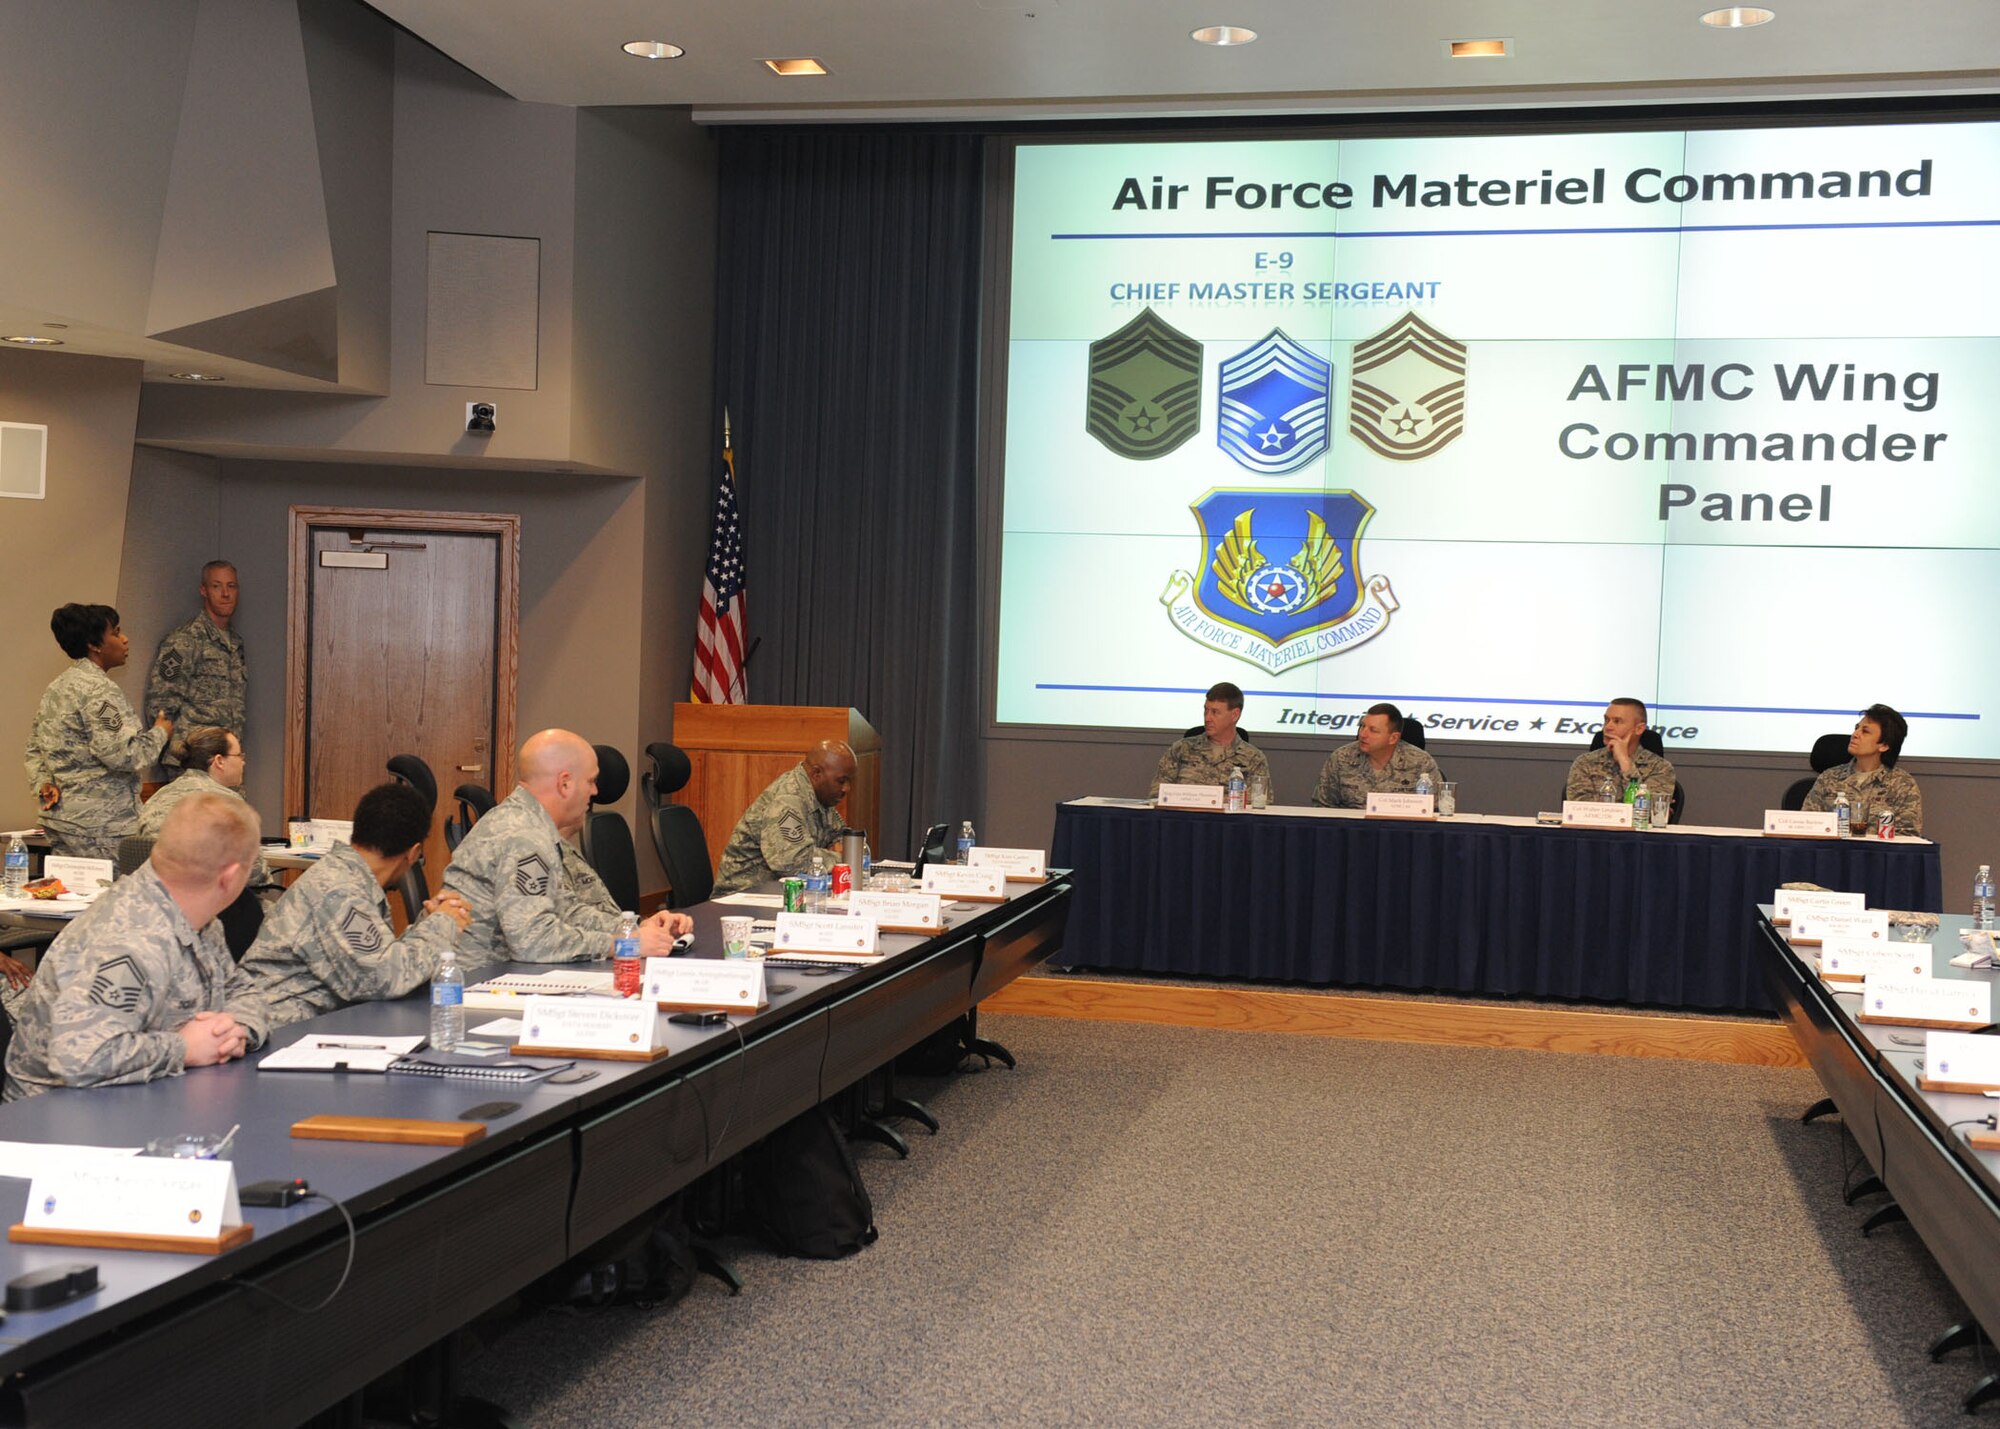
(1503, 427)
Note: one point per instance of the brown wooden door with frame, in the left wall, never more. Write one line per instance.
(403, 643)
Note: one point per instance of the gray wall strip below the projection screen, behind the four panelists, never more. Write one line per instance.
(1031, 772)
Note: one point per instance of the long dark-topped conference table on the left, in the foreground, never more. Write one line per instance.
(445, 1234)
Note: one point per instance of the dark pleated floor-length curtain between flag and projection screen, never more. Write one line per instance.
(847, 355)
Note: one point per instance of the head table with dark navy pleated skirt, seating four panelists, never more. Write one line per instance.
(1479, 904)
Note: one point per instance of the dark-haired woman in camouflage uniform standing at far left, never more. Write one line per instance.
(87, 750)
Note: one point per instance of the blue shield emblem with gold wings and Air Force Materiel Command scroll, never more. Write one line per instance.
(1279, 579)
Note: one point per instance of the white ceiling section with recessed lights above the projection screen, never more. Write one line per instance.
(1045, 59)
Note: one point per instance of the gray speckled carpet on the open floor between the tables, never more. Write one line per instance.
(1153, 1226)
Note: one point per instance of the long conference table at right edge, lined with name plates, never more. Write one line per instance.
(1911, 1138)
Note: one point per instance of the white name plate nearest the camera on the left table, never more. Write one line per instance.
(165, 1198)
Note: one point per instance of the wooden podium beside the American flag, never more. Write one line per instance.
(739, 750)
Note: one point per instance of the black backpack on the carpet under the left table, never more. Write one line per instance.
(805, 1194)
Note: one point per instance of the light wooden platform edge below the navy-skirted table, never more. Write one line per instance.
(1255, 1010)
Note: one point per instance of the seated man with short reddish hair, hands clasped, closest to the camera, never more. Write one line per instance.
(133, 990)
